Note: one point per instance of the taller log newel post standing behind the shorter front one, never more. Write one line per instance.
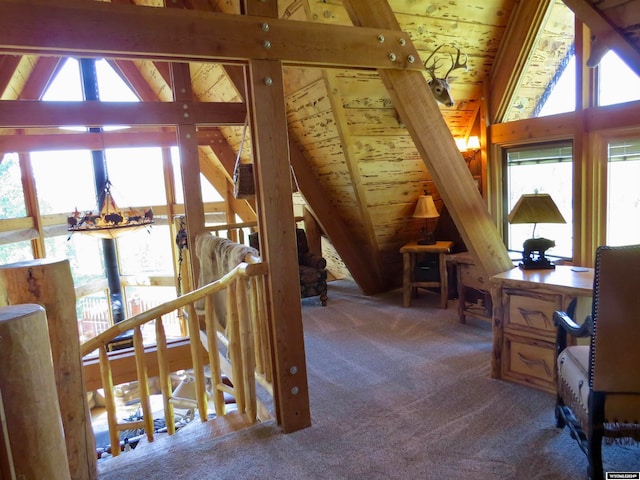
(49, 283)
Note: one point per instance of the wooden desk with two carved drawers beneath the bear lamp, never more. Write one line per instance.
(523, 330)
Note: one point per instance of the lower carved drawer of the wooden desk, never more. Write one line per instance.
(529, 361)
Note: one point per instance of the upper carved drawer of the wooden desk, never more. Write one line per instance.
(531, 312)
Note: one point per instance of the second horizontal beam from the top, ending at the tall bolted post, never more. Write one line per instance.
(25, 114)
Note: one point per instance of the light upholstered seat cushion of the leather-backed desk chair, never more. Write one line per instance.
(573, 379)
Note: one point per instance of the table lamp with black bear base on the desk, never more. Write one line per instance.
(536, 208)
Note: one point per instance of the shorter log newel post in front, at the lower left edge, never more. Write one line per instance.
(35, 447)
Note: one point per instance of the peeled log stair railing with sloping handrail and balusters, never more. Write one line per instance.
(245, 337)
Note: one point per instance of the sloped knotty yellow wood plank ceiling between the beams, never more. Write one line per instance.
(364, 172)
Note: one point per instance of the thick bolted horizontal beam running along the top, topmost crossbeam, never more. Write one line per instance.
(123, 31)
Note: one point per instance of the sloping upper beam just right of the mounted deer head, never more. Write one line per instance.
(527, 19)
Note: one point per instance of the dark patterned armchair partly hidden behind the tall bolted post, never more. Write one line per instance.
(313, 273)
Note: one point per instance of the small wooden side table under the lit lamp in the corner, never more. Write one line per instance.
(410, 283)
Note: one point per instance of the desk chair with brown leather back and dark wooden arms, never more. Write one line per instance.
(599, 384)
